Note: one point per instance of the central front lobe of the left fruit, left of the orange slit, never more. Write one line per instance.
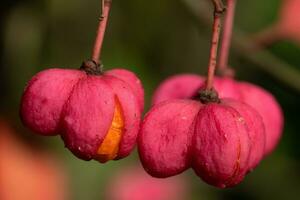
(87, 117)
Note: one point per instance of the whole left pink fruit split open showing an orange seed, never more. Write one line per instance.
(97, 115)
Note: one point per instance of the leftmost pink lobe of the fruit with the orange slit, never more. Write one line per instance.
(41, 105)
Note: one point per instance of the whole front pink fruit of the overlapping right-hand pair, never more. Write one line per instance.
(222, 141)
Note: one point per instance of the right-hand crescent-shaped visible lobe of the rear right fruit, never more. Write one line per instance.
(268, 108)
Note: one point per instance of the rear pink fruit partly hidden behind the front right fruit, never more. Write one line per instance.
(267, 106)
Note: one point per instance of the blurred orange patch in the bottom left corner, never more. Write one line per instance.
(26, 174)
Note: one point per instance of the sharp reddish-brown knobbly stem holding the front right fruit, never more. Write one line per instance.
(219, 9)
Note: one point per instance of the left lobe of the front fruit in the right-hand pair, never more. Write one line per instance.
(165, 137)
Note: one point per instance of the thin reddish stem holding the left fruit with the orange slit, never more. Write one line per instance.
(106, 4)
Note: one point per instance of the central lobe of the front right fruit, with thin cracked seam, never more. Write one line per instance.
(221, 144)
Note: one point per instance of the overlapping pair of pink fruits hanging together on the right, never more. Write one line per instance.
(221, 140)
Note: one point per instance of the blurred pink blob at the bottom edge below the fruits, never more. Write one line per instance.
(135, 184)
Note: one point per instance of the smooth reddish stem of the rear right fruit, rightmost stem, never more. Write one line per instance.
(226, 38)
